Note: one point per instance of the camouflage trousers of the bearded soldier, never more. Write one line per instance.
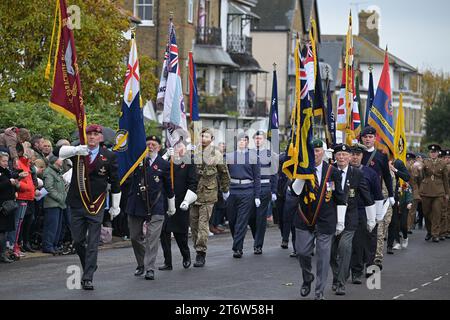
(199, 217)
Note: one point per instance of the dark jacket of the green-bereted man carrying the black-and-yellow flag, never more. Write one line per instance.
(327, 215)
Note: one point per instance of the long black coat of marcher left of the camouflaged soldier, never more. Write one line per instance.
(185, 178)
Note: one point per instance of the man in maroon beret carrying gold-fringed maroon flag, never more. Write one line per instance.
(94, 167)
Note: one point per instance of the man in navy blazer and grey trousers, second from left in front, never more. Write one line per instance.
(150, 188)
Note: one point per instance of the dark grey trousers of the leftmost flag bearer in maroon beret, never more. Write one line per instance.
(86, 230)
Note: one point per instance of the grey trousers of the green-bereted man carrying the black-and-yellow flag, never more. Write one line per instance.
(304, 245)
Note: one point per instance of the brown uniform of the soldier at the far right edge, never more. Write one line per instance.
(433, 189)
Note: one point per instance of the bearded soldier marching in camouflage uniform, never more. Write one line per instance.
(212, 172)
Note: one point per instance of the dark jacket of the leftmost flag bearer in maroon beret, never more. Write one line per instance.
(104, 171)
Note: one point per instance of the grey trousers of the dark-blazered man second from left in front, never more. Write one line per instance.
(145, 247)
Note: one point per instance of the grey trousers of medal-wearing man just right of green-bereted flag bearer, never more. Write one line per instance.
(341, 255)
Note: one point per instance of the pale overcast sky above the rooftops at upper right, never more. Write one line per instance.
(418, 32)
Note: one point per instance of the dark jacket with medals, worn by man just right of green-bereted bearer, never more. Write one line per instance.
(355, 188)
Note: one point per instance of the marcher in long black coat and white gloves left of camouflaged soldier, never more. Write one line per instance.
(185, 188)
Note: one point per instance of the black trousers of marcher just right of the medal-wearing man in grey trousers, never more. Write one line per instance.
(364, 248)
